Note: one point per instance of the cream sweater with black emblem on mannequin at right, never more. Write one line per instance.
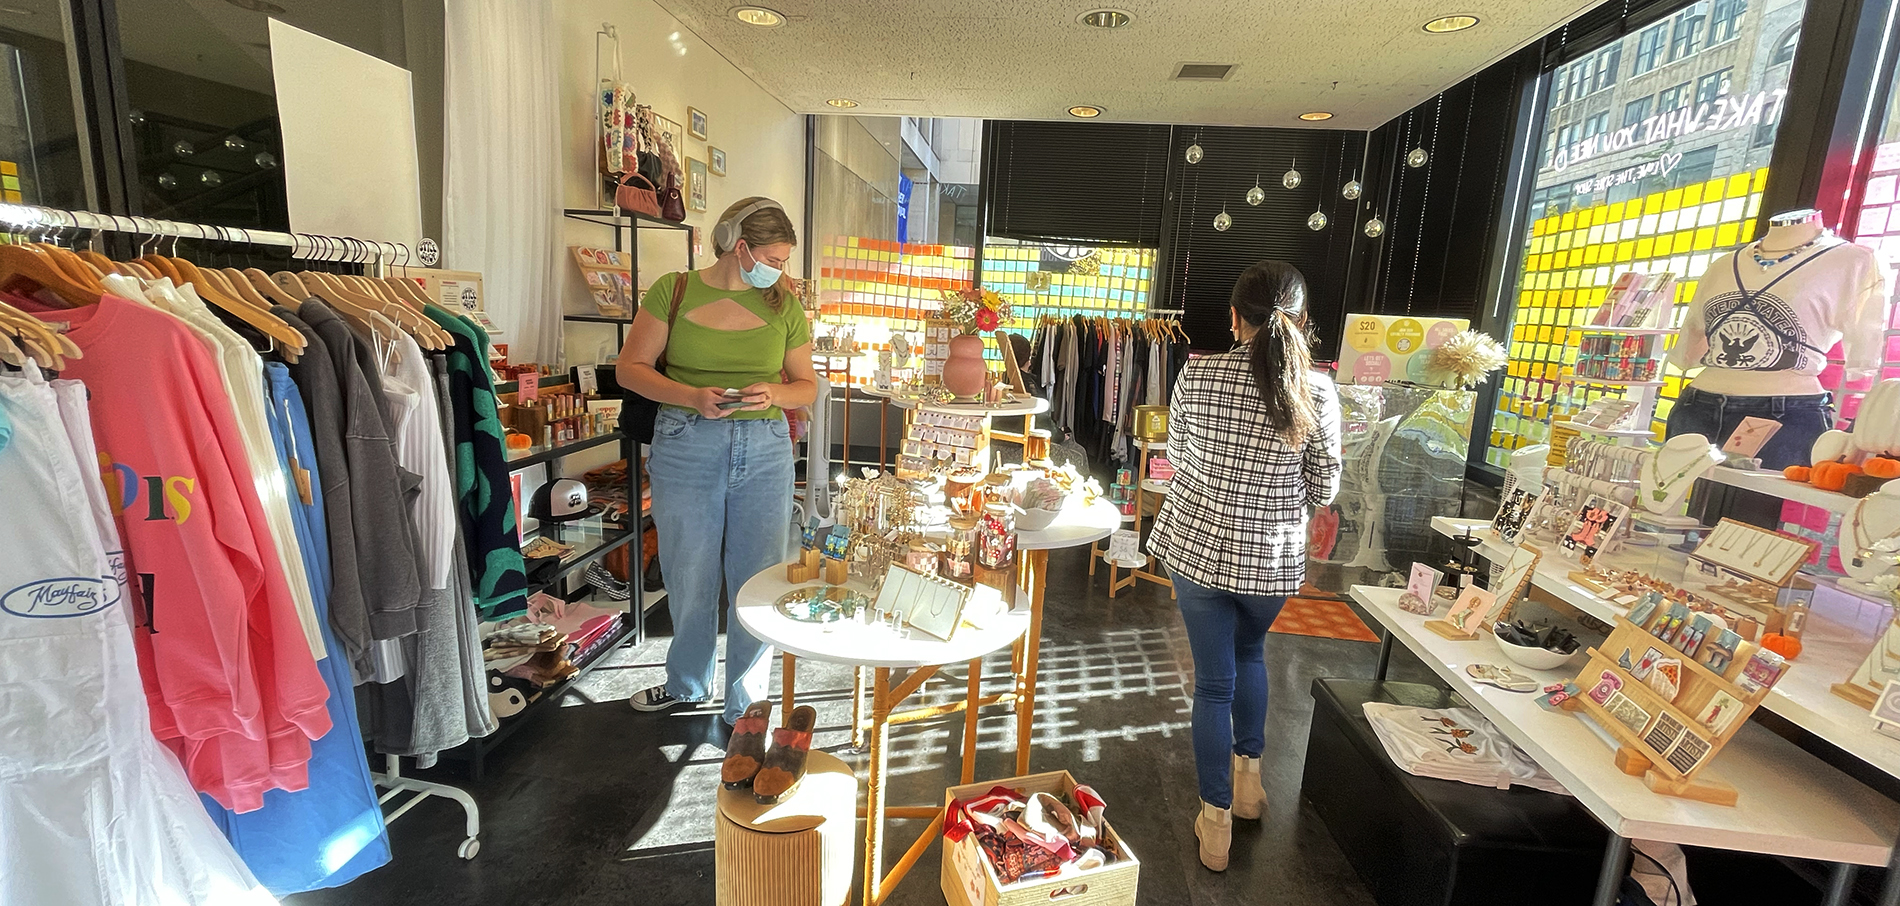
(1781, 322)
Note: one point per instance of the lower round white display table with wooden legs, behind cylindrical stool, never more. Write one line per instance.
(884, 651)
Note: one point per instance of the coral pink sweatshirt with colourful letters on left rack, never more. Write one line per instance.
(227, 671)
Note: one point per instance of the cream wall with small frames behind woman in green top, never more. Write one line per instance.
(670, 69)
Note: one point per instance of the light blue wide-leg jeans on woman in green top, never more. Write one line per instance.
(723, 506)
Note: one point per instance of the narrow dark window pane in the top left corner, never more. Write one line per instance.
(39, 140)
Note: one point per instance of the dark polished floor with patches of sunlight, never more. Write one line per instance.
(598, 804)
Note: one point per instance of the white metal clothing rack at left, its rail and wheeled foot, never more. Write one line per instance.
(345, 250)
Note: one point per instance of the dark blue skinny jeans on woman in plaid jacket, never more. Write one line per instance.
(1228, 635)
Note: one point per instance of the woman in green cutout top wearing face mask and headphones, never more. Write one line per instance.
(723, 462)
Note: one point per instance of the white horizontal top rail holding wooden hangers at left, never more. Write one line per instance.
(301, 246)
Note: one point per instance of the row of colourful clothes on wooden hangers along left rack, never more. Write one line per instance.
(309, 480)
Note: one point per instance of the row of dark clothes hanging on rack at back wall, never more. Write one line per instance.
(1099, 369)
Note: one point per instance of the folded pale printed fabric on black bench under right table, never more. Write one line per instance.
(1454, 746)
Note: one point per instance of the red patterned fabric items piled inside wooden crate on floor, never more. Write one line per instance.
(1036, 837)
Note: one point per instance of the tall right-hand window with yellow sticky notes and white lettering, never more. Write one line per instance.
(1669, 191)
